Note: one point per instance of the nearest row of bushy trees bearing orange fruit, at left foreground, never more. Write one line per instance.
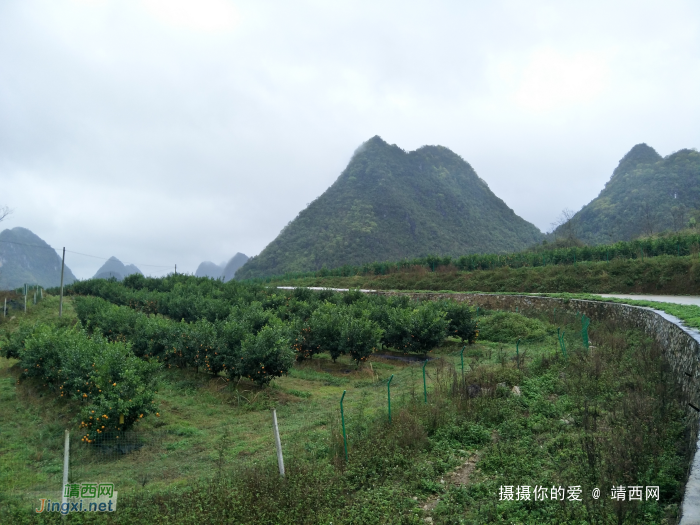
(114, 387)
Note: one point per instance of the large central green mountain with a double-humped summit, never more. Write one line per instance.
(389, 204)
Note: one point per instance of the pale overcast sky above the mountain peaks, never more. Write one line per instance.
(177, 131)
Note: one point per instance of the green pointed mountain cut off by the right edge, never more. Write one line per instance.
(647, 193)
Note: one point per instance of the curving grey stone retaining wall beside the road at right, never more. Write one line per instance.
(681, 347)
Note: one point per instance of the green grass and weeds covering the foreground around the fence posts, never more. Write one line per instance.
(211, 459)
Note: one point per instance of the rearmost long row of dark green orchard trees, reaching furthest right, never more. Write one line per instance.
(405, 323)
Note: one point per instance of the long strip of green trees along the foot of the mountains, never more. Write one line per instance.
(674, 245)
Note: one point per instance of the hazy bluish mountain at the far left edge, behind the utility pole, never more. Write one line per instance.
(26, 258)
